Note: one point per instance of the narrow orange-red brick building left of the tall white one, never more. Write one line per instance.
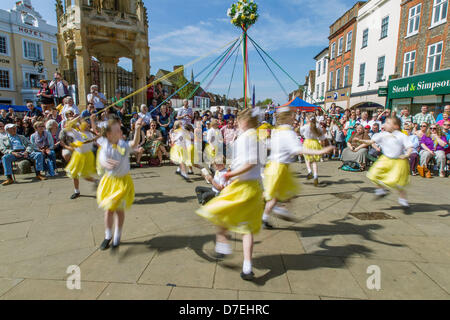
(342, 48)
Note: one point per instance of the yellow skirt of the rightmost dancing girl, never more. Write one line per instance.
(391, 173)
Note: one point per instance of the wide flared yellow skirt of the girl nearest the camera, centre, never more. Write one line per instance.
(238, 207)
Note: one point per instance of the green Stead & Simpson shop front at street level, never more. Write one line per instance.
(430, 89)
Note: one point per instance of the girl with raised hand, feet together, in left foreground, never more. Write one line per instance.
(115, 192)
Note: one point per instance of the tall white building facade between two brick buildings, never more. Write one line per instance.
(375, 51)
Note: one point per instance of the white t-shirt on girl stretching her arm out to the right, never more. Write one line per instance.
(284, 145)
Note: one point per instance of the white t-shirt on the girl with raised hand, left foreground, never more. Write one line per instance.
(120, 153)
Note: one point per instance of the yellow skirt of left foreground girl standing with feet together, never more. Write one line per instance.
(115, 193)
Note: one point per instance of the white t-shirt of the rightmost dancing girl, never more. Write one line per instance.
(394, 144)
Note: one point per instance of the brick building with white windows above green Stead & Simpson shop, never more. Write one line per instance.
(422, 64)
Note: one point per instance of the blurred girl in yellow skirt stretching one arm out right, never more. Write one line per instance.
(279, 182)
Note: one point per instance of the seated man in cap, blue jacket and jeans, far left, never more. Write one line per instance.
(16, 147)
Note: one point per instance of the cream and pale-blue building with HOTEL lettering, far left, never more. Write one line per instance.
(28, 53)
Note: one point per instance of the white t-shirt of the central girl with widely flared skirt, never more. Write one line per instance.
(246, 152)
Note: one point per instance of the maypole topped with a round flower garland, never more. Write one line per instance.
(243, 15)
